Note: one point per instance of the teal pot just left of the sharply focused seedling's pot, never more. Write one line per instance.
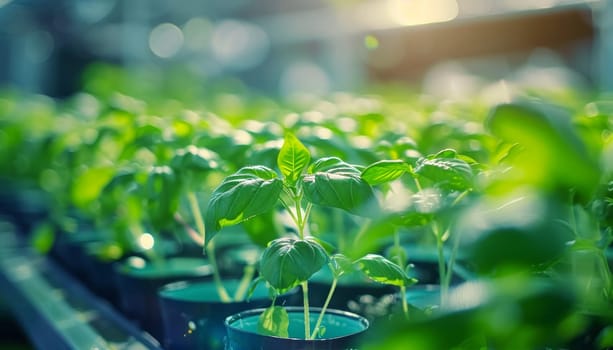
(193, 314)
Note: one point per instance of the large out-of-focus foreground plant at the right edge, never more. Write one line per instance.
(536, 241)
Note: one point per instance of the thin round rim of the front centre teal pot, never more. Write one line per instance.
(293, 309)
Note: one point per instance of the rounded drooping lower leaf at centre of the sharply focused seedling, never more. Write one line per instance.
(287, 262)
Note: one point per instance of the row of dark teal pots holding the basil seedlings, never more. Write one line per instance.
(176, 302)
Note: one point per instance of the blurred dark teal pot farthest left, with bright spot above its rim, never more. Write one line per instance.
(138, 282)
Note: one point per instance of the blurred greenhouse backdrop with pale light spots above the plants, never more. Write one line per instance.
(271, 44)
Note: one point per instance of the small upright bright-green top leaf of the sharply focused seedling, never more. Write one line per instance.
(293, 158)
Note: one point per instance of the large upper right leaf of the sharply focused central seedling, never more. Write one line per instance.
(337, 184)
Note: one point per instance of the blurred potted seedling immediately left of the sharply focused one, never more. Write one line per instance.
(193, 311)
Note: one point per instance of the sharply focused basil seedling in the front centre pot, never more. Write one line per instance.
(290, 261)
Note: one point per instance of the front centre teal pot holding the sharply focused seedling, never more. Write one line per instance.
(343, 329)
